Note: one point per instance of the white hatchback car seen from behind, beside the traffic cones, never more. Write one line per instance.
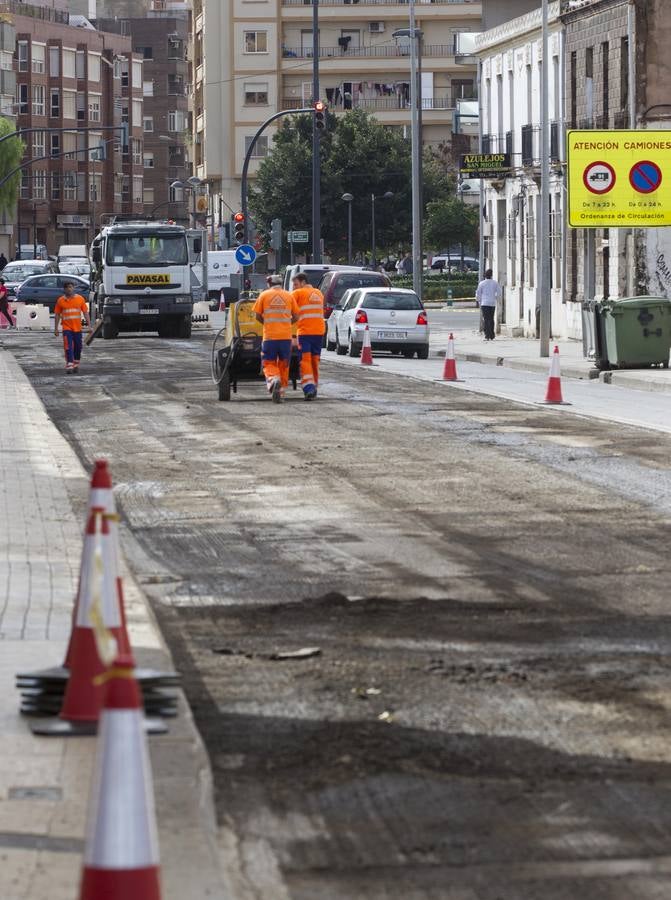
(395, 317)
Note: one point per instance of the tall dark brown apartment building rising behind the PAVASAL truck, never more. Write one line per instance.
(162, 40)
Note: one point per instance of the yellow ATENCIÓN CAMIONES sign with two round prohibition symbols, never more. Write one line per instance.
(619, 179)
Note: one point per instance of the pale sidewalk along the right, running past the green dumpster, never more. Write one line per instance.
(523, 353)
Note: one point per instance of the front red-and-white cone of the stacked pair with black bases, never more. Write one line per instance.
(98, 617)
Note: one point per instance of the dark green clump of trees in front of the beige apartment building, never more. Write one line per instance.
(358, 156)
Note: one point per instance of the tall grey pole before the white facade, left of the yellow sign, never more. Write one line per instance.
(543, 245)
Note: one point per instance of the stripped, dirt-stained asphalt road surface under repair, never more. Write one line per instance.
(487, 716)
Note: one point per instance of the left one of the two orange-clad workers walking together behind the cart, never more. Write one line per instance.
(277, 310)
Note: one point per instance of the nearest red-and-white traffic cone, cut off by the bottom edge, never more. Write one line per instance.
(121, 856)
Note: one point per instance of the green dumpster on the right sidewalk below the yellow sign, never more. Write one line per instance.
(636, 331)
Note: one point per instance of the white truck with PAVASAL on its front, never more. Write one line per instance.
(142, 279)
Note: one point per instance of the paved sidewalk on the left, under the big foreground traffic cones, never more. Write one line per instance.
(44, 782)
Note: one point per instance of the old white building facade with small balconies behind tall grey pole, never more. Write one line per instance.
(511, 58)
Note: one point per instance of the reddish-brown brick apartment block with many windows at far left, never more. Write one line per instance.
(84, 82)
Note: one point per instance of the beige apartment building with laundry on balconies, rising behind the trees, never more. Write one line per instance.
(252, 58)
